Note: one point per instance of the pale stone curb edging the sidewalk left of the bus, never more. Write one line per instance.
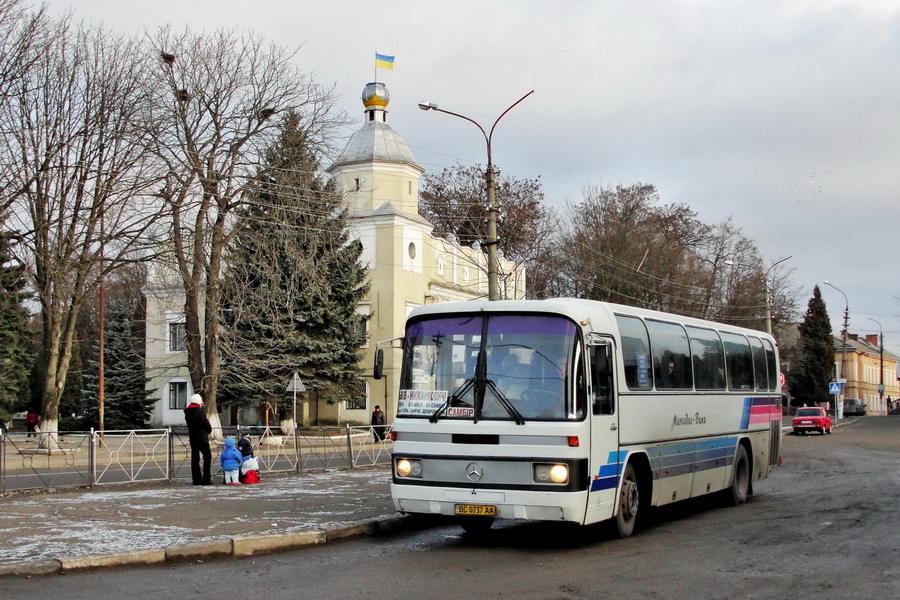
(238, 547)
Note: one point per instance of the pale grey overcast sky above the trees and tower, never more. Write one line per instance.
(782, 114)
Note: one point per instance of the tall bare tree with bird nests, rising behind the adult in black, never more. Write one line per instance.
(218, 94)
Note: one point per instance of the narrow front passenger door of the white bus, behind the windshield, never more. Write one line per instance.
(604, 416)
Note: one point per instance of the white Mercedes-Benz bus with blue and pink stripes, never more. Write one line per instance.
(576, 410)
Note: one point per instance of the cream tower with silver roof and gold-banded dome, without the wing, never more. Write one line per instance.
(379, 181)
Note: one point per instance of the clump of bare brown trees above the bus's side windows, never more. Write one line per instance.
(623, 245)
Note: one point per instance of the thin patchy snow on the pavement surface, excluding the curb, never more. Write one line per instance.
(144, 516)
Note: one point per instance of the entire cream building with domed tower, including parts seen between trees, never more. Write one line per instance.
(379, 179)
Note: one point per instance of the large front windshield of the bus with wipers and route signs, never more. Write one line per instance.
(490, 366)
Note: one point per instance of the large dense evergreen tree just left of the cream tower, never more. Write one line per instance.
(292, 285)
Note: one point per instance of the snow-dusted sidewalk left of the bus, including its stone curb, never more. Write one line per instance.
(53, 532)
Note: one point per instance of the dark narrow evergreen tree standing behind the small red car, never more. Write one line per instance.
(814, 367)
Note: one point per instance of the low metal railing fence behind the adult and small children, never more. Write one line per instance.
(88, 458)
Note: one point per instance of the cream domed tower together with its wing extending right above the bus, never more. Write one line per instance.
(379, 181)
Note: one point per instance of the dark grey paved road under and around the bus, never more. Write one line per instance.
(823, 526)
